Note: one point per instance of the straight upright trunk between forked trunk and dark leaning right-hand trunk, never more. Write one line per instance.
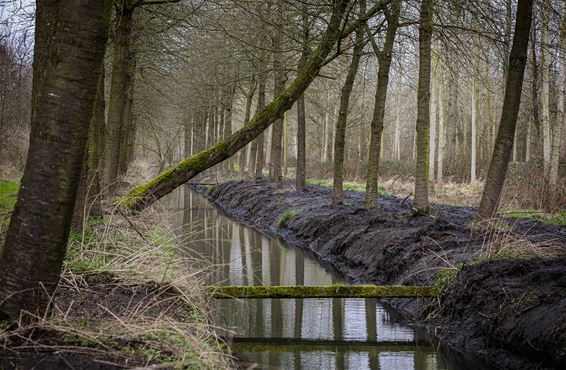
(423, 108)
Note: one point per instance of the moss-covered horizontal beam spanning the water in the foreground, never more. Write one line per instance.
(329, 291)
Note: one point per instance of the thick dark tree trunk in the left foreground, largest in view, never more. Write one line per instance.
(35, 246)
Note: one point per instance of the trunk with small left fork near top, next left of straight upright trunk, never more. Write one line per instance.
(376, 135)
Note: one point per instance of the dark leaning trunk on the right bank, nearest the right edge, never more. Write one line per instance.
(511, 103)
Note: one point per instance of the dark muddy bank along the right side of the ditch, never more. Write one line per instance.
(510, 310)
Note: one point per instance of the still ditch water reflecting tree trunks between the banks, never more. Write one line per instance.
(296, 333)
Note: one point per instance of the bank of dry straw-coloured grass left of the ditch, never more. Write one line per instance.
(125, 300)
